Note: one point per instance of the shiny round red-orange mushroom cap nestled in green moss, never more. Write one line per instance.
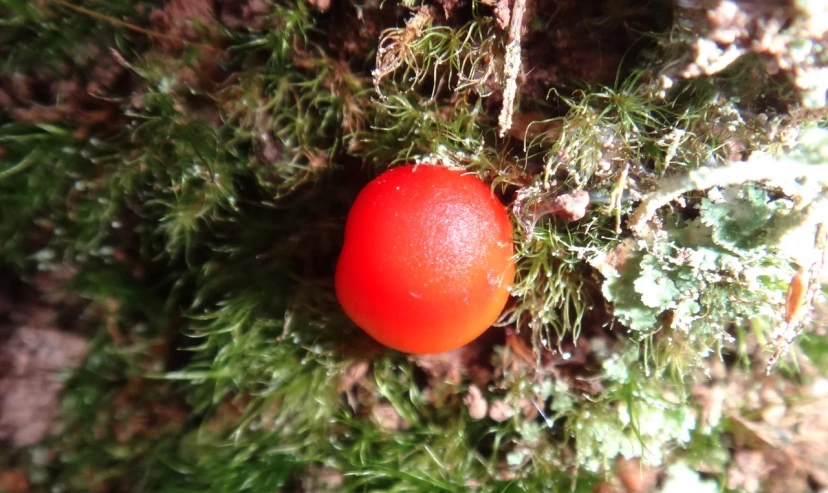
(427, 262)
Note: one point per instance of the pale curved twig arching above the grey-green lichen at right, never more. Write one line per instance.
(765, 168)
